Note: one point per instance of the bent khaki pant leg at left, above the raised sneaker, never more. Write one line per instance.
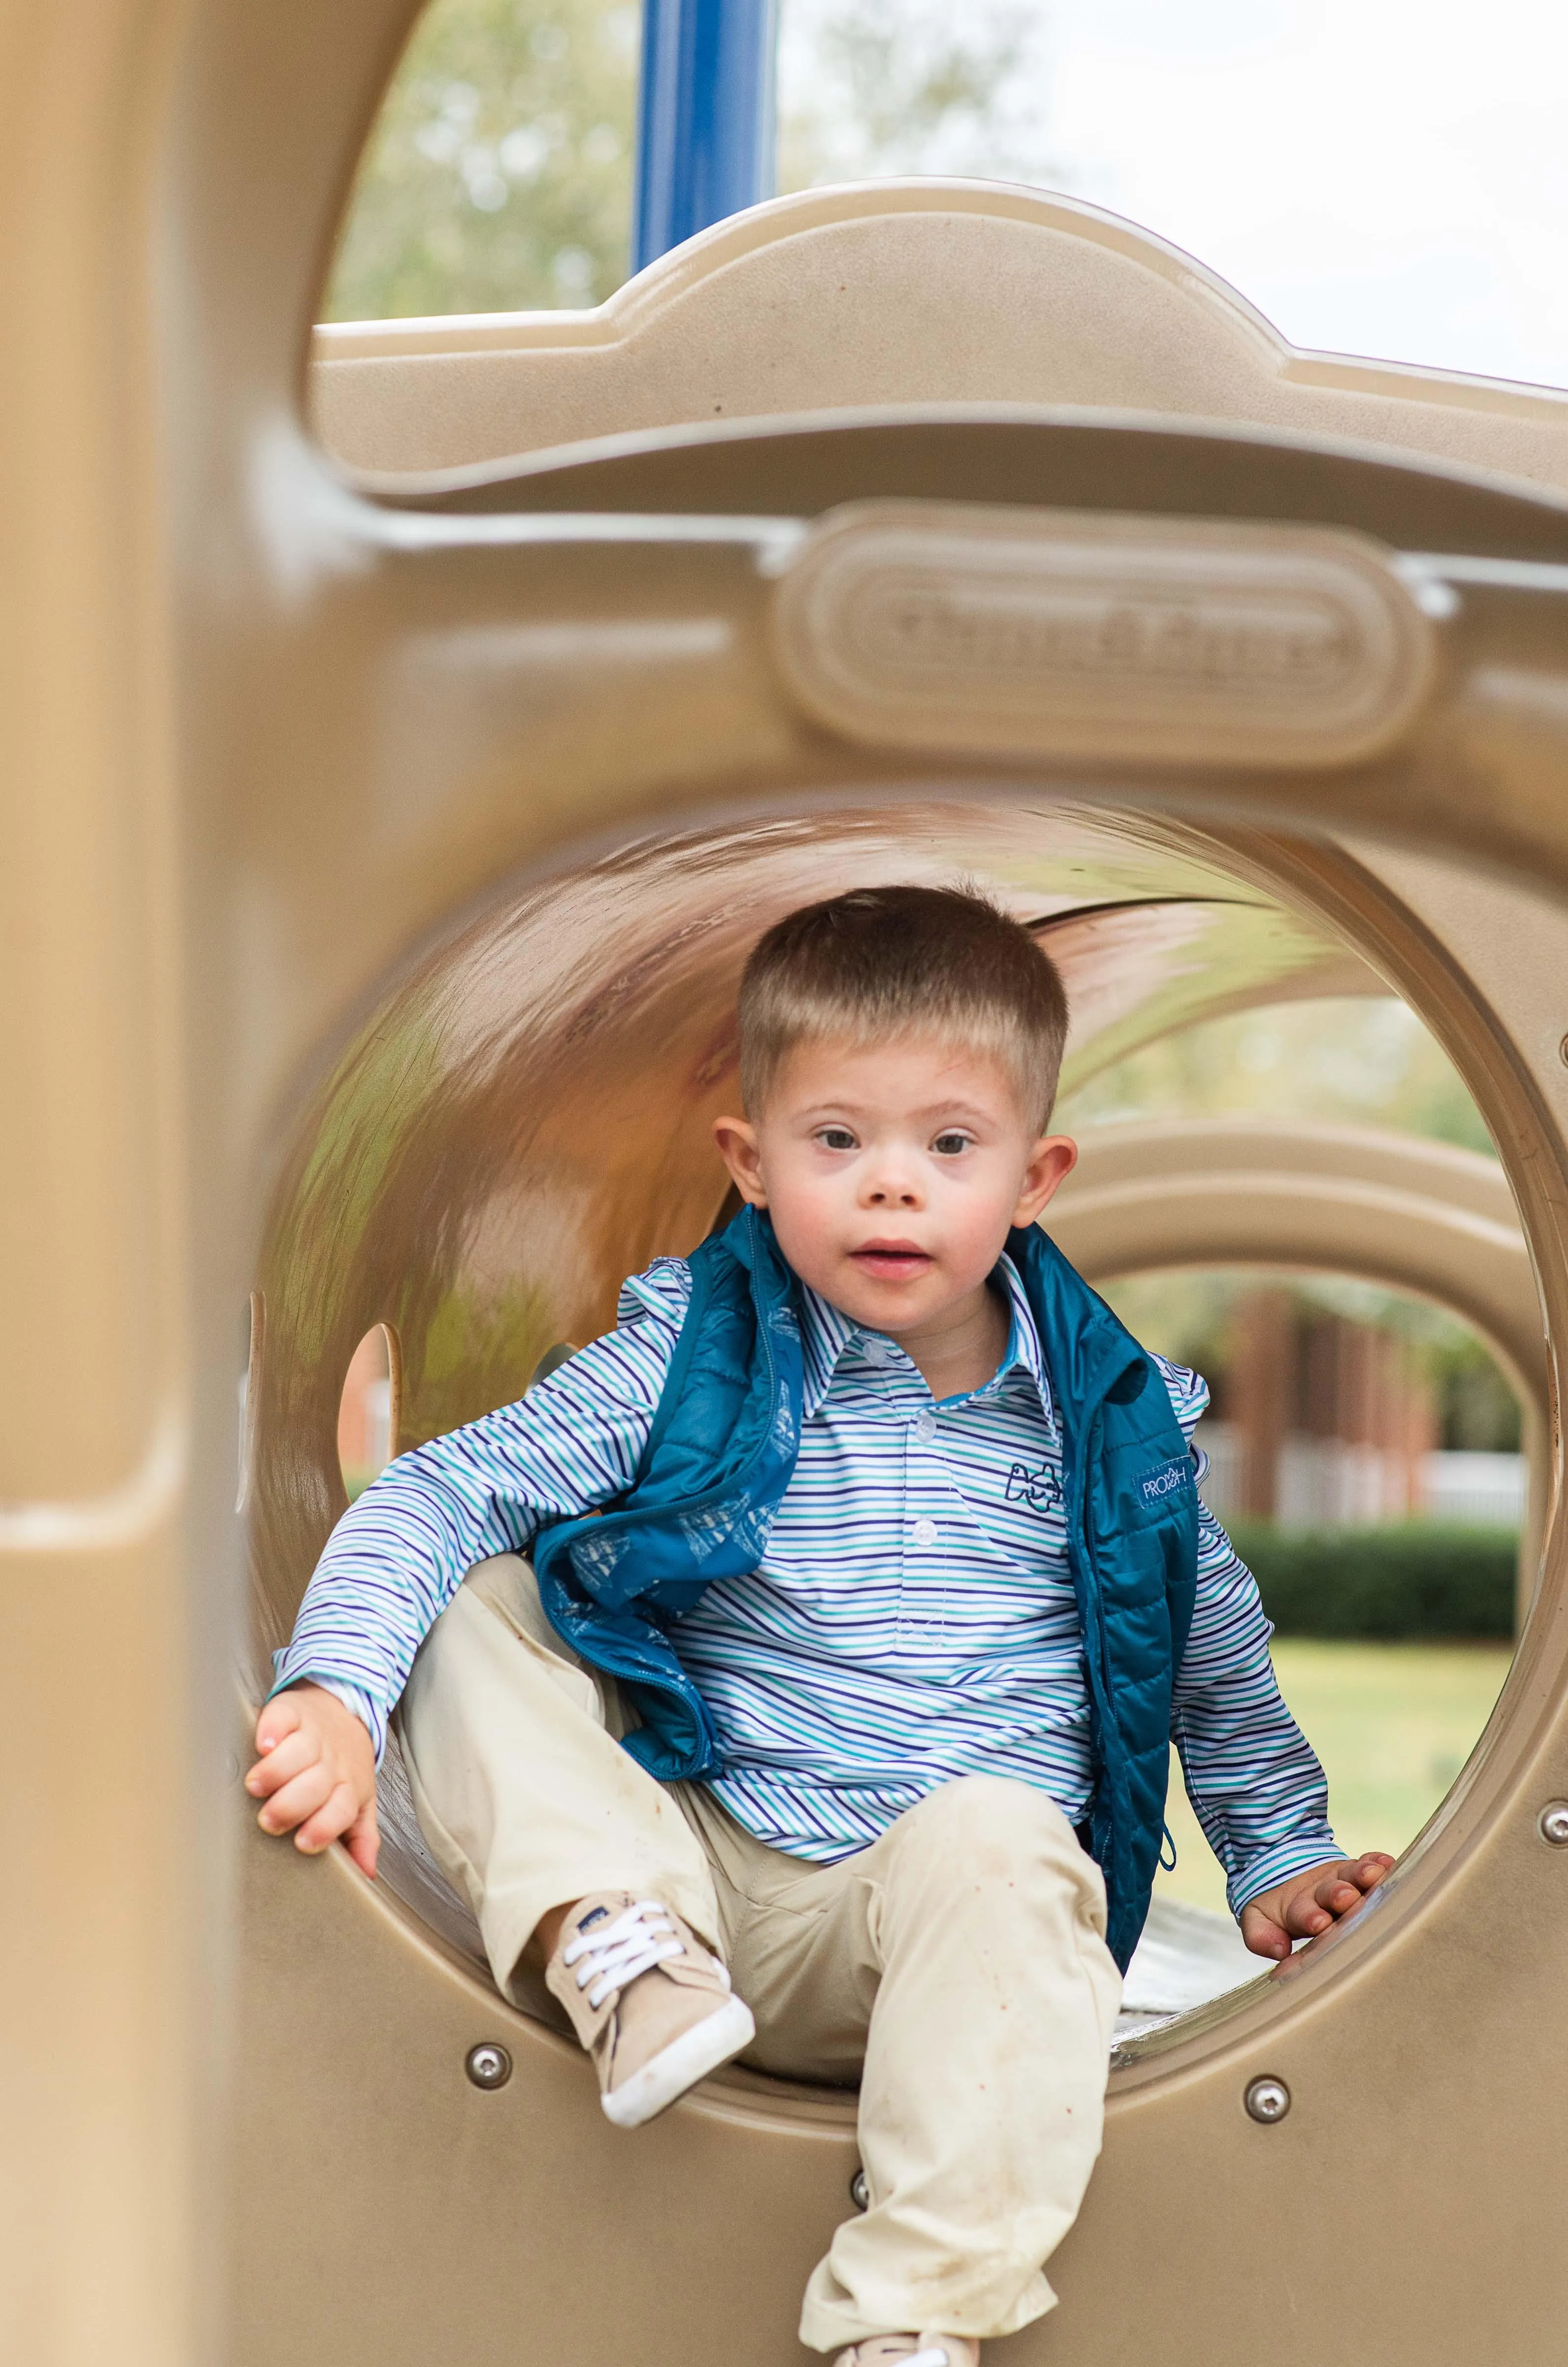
(522, 1791)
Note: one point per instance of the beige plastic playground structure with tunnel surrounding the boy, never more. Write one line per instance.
(399, 768)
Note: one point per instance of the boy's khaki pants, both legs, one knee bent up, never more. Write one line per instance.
(958, 1968)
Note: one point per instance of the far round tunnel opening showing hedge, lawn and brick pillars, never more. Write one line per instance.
(1368, 1459)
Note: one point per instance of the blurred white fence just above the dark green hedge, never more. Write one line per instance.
(1325, 1483)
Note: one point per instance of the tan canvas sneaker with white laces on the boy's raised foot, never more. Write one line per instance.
(648, 2001)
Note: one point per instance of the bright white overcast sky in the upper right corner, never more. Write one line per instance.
(1380, 176)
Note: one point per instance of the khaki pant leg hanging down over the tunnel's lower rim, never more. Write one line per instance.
(965, 1954)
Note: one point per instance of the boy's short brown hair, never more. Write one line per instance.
(894, 962)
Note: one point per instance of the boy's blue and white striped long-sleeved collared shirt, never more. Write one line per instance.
(911, 1620)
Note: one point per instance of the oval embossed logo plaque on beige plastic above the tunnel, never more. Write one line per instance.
(1084, 636)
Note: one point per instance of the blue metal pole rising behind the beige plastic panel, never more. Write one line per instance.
(705, 117)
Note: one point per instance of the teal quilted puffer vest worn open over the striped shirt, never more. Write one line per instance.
(724, 1450)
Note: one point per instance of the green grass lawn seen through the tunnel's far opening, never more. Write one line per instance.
(1392, 1724)
